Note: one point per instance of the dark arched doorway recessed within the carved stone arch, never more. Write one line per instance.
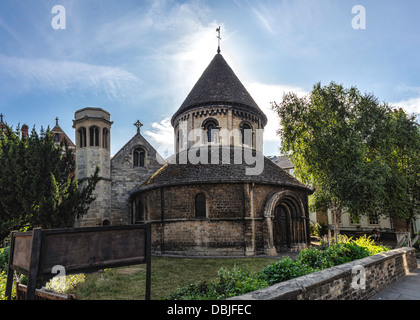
(281, 226)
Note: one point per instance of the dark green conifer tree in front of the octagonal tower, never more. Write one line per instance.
(37, 183)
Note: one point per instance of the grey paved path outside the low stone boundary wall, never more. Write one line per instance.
(406, 288)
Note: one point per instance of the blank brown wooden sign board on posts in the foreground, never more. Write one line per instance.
(78, 250)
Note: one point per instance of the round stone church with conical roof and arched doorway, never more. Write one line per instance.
(218, 195)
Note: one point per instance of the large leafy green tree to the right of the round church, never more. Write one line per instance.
(339, 141)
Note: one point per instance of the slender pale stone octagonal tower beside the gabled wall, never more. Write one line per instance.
(93, 127)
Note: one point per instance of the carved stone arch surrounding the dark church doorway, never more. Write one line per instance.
(289, 204)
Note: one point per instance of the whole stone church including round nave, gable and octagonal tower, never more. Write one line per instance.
(218, 195)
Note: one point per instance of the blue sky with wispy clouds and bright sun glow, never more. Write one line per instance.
(139, 59)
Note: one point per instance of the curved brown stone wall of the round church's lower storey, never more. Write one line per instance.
(234, 225)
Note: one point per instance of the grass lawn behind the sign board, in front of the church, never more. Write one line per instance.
(168, 274)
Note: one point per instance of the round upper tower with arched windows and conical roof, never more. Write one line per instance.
(220, 111)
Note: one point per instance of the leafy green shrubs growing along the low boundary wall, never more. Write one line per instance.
(236, 282)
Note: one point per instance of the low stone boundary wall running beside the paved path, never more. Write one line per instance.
(381, 270)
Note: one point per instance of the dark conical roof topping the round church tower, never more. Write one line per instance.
(219, 85)
